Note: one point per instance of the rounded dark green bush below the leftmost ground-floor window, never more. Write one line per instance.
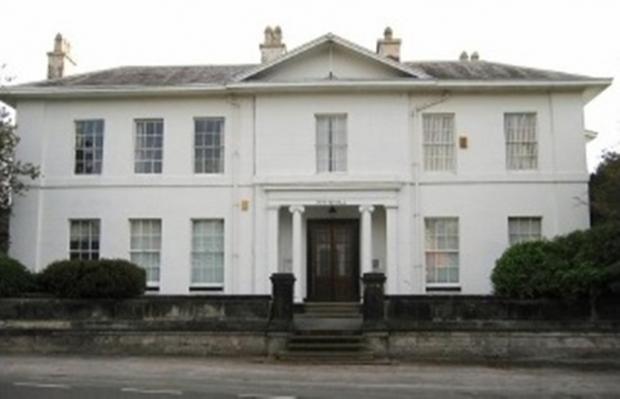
(104, 278)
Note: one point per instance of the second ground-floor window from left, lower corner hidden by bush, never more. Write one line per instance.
(145, 247)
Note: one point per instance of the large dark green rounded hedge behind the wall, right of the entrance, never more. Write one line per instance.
(581, 264)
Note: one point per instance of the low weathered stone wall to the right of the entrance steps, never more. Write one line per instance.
(485, 328)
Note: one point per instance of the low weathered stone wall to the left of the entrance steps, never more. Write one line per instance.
(151, 325)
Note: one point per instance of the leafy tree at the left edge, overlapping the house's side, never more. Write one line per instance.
(13, 173)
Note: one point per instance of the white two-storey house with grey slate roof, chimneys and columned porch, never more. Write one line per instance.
(327, 161)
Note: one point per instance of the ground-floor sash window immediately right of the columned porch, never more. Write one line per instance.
(442, 250)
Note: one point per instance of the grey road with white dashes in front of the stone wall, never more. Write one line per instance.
(62, 377)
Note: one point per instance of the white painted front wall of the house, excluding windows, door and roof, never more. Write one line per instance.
(270, 188)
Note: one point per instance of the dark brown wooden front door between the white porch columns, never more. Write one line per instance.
(333, 260)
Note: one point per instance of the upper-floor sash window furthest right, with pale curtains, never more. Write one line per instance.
(521, 141)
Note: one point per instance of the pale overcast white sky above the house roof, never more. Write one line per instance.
(571, 35)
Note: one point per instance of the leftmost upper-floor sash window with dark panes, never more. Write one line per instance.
(88, 146)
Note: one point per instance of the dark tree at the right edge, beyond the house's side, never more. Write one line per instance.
(605, 190)
